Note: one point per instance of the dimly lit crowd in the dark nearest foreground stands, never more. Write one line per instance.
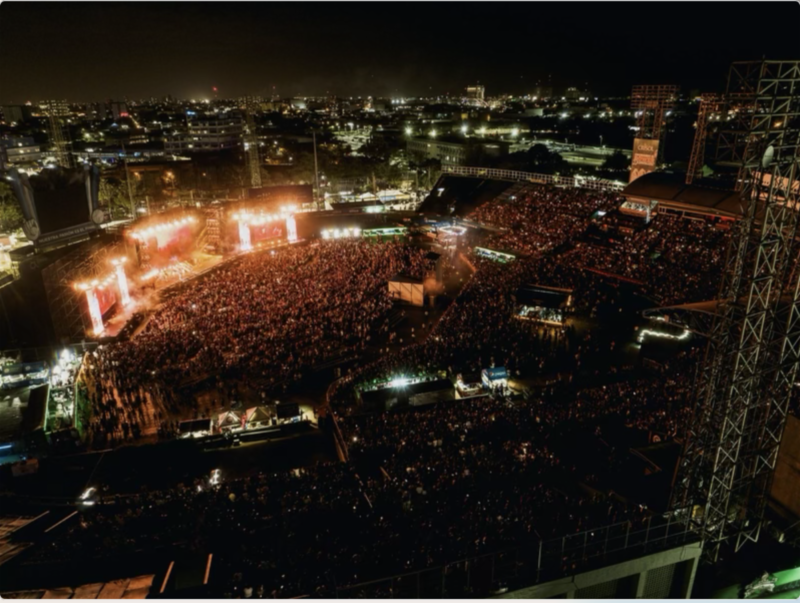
(423, 489)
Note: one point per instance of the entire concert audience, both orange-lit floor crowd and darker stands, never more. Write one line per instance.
(422, 488)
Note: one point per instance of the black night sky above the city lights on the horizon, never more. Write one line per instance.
(89, 51)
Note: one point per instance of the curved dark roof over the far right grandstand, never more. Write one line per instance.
(671, 190)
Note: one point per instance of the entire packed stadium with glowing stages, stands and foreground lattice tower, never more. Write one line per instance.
(504, 393)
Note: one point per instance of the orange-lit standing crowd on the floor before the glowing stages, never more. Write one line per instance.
(266, 316)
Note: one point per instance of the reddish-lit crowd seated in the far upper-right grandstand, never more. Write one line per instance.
(672, 259)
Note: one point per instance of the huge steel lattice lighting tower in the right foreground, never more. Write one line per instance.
(751, 361)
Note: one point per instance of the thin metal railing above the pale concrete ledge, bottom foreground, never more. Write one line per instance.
(533, 564)
